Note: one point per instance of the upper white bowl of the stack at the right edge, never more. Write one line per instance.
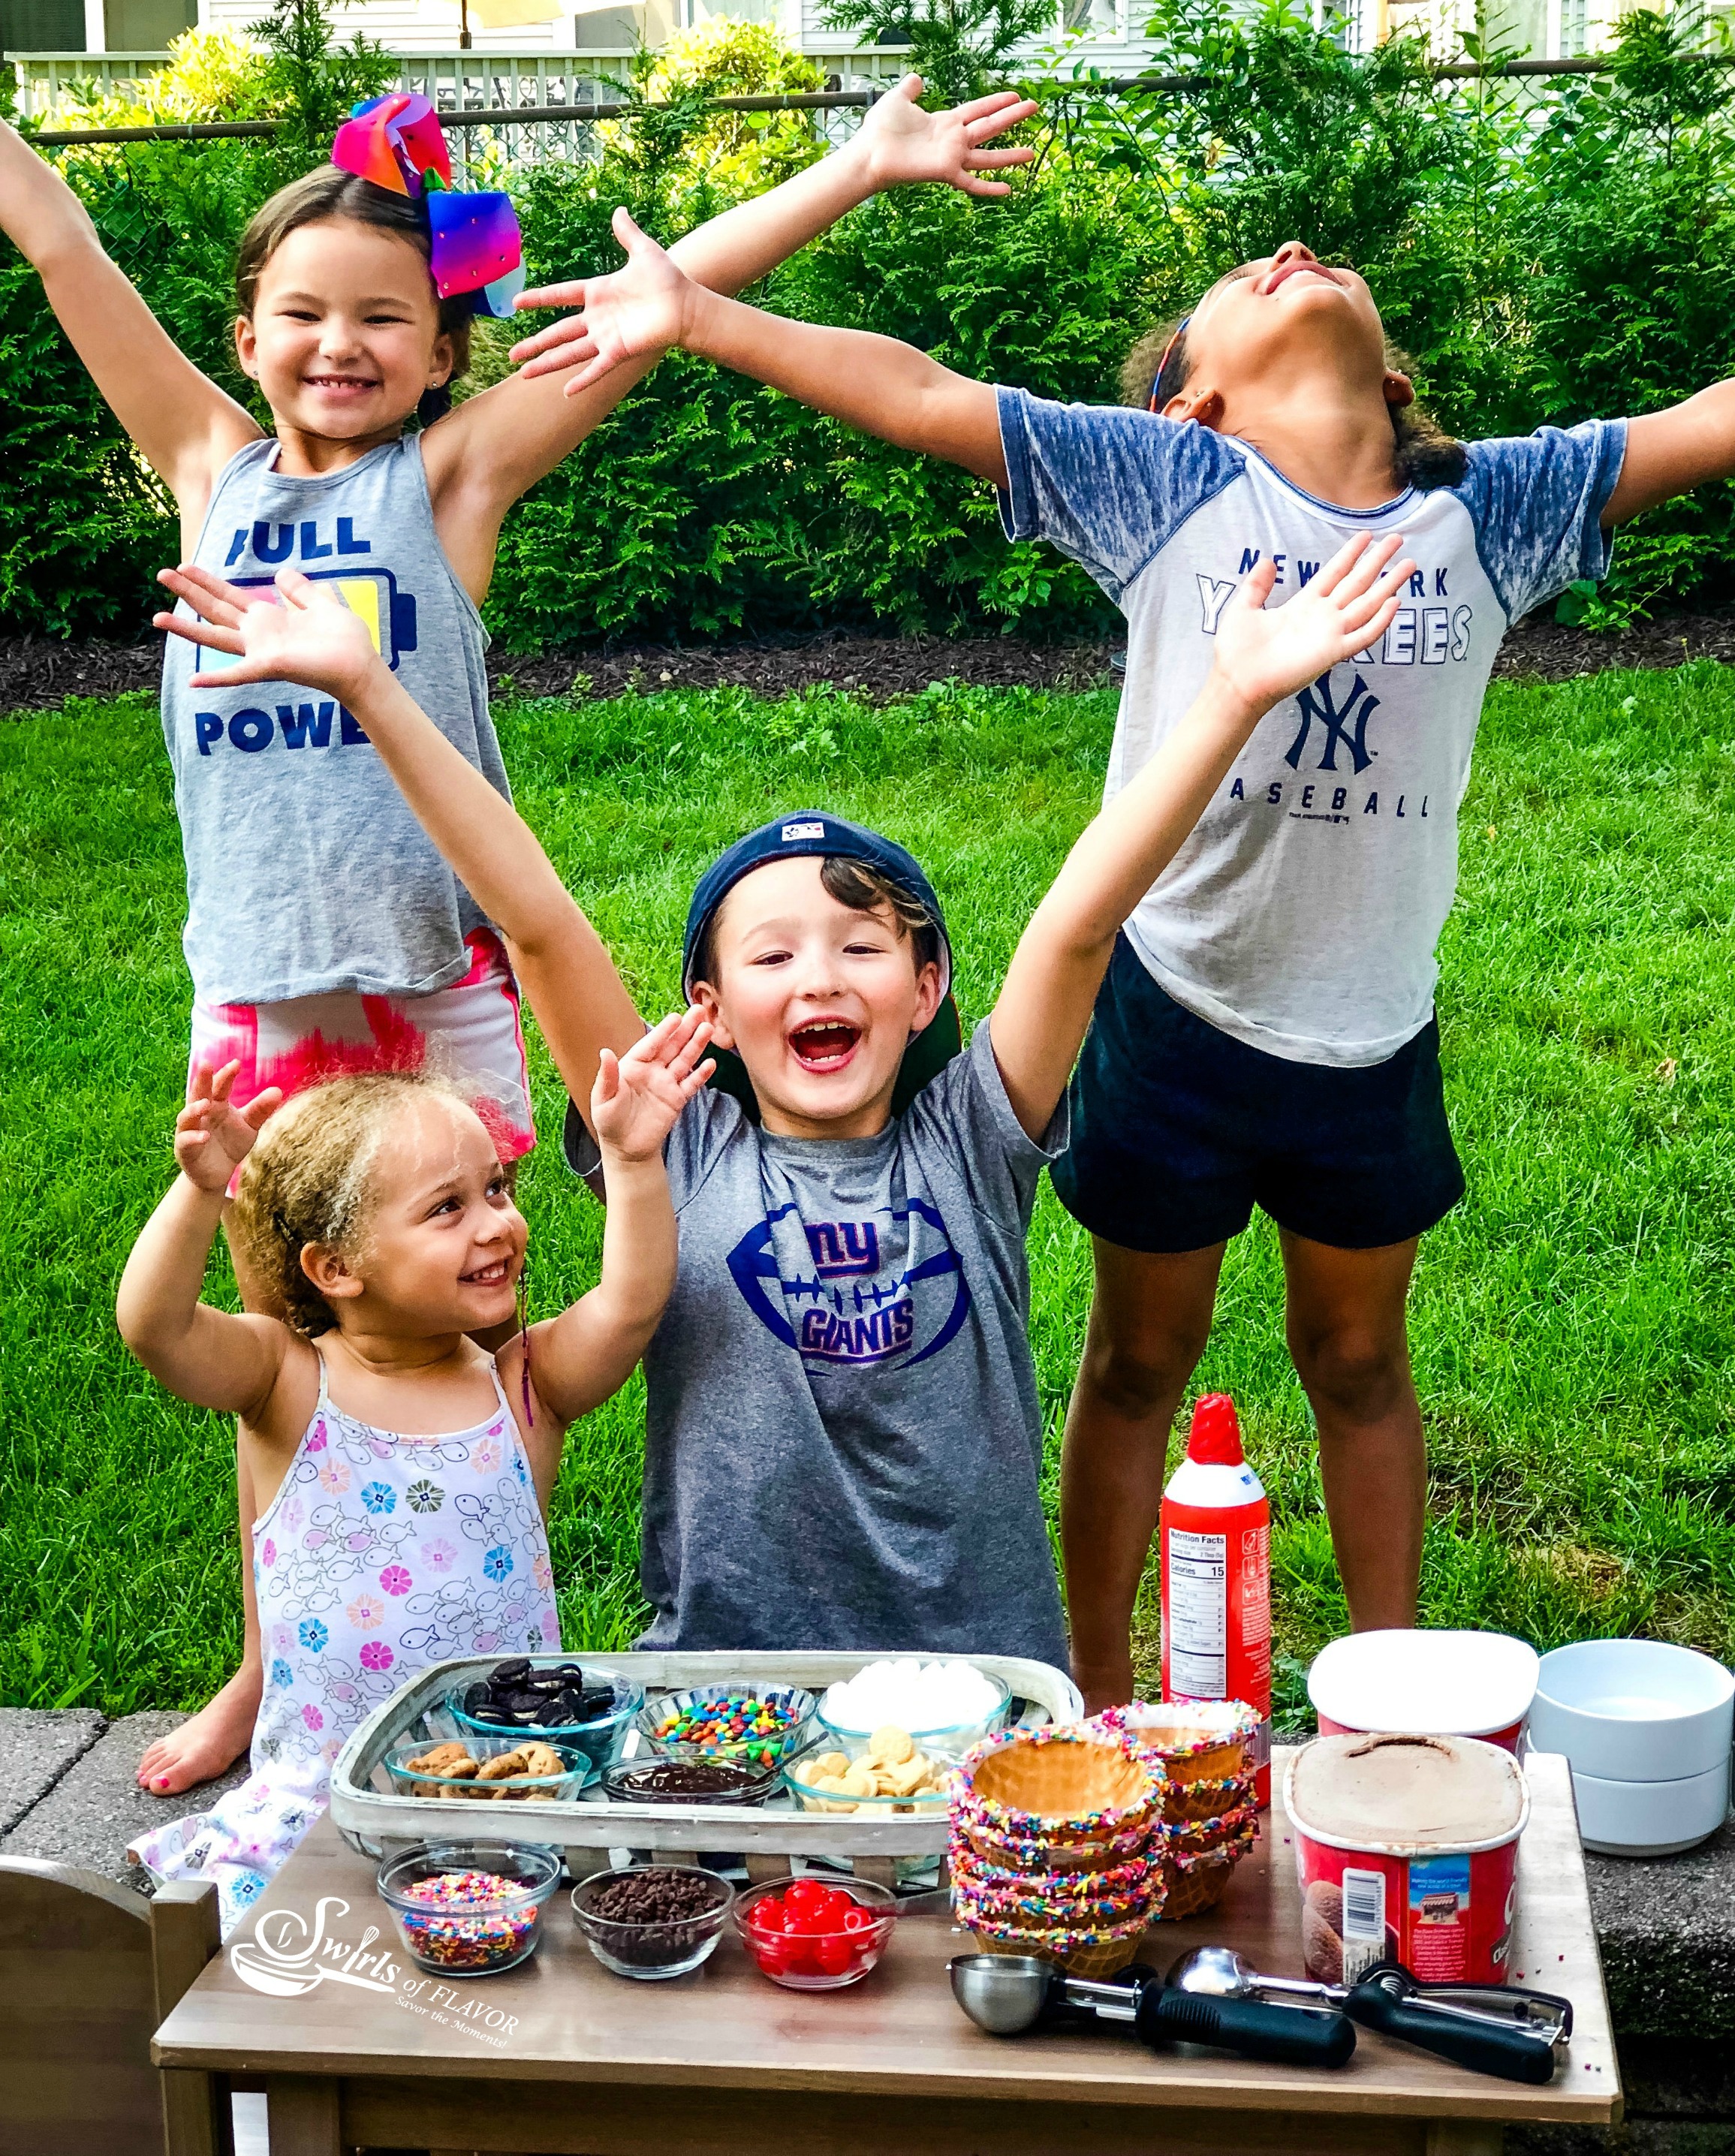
(1635, 1711)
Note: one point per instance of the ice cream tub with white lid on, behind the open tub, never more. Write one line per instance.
(1445, 1685)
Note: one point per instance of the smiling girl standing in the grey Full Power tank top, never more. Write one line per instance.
(324, 932)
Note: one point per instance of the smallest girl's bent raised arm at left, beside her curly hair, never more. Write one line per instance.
(208, 1357)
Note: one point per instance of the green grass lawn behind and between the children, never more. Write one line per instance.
(1574, 1321)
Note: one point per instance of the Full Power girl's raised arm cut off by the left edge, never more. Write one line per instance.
(184, 426)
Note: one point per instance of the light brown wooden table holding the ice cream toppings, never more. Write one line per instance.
(585, 2064)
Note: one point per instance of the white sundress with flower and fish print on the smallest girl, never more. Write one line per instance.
(378, 1556)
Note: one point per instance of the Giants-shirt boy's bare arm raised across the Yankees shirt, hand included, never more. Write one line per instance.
(1260, 659)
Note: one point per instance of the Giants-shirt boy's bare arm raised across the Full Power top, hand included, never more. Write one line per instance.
(572, 982)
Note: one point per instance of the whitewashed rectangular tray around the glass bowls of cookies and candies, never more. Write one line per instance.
(771, 1838)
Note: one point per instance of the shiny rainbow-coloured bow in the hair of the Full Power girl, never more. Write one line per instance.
(398, 143)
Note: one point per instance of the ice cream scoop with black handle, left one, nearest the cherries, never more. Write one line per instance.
(1010, 1993)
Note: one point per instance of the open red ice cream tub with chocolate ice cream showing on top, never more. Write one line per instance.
(1406, 1849)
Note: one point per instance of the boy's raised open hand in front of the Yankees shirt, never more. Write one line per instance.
(1266, 654)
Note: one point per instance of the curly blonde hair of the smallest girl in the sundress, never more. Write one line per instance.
(309, 1180)
